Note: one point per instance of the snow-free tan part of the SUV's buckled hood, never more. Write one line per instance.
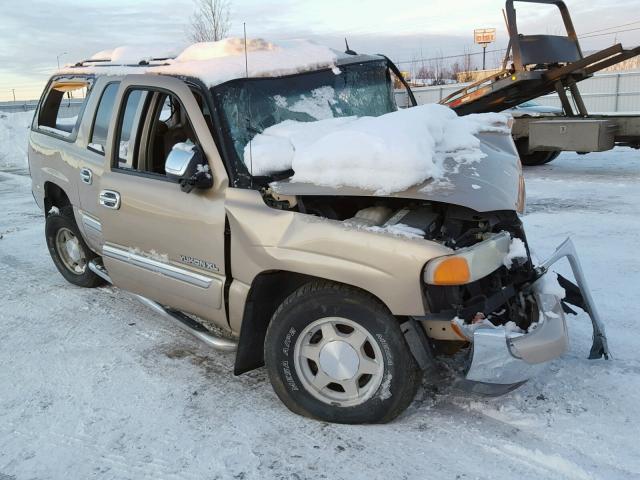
(489, 184)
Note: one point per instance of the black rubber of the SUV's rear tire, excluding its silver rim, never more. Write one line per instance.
(63, 219)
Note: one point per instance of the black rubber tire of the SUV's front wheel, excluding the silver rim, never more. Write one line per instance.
(318, 300)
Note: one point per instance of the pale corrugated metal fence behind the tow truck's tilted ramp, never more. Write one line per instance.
(604, 92)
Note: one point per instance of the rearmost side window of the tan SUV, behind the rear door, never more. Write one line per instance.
(61, 109)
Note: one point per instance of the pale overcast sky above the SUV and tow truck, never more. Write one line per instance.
(34, 32)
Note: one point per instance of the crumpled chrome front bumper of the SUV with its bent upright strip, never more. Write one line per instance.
(502, 361)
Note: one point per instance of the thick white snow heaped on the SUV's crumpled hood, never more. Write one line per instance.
(384, 154)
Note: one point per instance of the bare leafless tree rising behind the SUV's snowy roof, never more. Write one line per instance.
(210, 22)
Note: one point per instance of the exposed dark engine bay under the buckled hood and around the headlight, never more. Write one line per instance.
(506, 289)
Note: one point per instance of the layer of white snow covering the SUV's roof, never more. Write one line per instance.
(215, 62)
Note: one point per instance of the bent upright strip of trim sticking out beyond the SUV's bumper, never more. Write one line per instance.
(599, 347)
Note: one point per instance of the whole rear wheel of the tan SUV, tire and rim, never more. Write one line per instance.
(69, 252)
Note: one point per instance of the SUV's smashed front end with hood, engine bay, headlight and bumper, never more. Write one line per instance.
(486, 297)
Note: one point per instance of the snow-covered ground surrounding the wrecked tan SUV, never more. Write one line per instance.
(93, 385)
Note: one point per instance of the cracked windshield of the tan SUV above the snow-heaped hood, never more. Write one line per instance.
(248, 106)
